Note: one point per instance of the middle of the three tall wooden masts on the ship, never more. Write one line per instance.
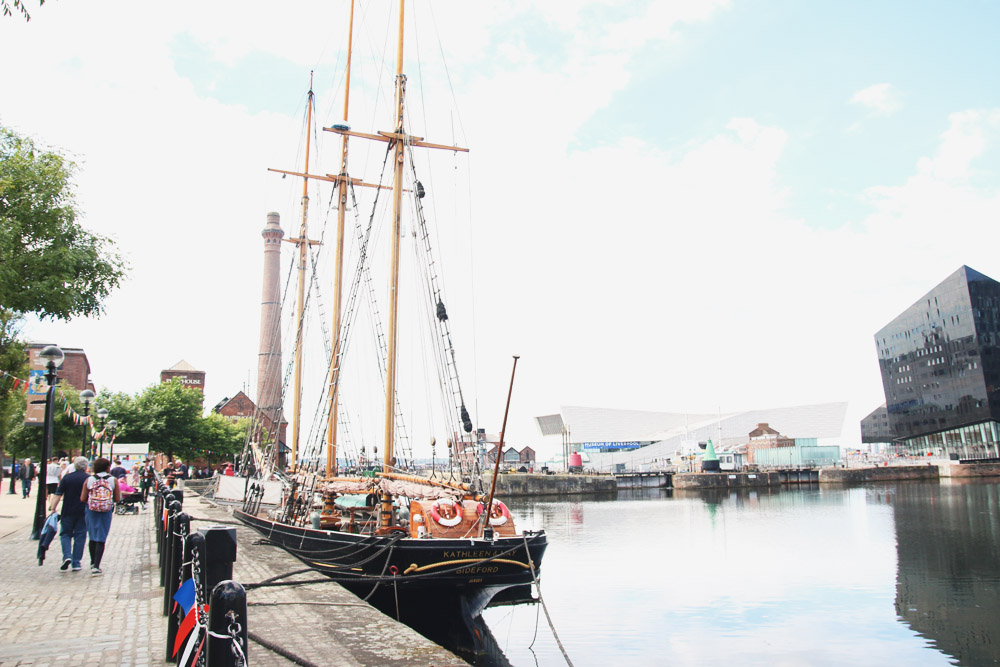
(331, 430)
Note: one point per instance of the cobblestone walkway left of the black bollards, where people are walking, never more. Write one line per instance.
(49, 617)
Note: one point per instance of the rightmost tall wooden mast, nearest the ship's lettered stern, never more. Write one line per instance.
(397, 200)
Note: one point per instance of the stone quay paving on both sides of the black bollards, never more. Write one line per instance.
(49, 617)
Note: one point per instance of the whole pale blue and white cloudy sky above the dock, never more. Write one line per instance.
(671, 206)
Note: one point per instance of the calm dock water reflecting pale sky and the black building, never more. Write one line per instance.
(890, 574)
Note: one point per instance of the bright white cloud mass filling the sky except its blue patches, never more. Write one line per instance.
(627, 274)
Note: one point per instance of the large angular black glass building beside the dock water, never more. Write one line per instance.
(940, 363)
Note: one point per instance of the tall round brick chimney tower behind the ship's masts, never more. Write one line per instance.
(269, 375)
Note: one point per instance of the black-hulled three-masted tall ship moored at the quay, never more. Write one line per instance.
(414, 543)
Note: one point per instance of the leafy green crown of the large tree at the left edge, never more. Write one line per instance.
(49, 265)
